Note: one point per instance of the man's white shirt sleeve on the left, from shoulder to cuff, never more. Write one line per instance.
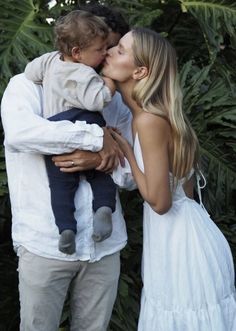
(27, 131)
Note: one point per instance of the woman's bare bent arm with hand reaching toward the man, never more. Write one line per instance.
(153, 184)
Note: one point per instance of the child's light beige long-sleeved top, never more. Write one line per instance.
(67, 84)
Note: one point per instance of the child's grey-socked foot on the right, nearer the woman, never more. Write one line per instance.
(102, 224)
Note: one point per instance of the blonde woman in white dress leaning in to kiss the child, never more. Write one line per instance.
(188, 272)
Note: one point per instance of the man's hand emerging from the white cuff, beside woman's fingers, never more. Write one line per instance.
(111, 153)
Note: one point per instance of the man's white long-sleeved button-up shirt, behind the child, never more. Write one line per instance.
(27, 136)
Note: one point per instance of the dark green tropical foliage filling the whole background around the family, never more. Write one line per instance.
(203, 32)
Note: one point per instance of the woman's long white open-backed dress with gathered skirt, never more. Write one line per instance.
(187, 269)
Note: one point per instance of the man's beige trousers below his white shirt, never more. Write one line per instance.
(44, 283)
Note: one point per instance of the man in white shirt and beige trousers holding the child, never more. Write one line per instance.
(45, 274)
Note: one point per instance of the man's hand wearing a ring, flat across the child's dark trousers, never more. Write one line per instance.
(77, 161)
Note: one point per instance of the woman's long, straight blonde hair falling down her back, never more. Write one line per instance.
(160, 93)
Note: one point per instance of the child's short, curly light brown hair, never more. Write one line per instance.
(78, 28)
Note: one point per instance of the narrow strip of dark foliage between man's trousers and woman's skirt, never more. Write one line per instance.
(126, 309)
